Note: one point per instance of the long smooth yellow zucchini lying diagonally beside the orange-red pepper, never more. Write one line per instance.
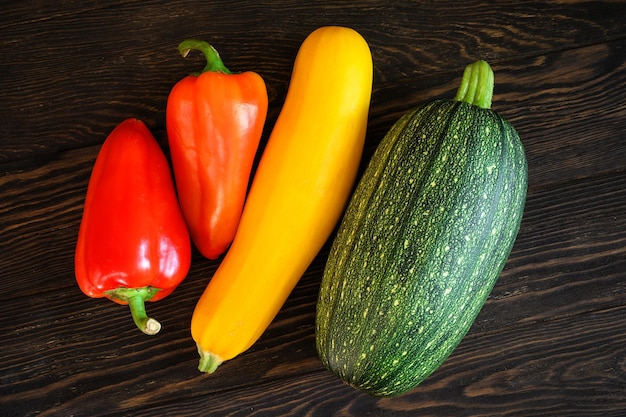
(297, 196)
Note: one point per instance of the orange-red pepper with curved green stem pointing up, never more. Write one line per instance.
(214, 125)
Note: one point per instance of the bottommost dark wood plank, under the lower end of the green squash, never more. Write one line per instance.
(554, 368)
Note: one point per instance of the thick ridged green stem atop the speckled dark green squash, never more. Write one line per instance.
(477, 85)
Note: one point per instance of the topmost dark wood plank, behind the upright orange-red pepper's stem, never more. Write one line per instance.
(73, 75)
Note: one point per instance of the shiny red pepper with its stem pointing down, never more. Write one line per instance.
(133, 245)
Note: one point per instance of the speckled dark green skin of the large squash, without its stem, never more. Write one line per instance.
(423, 241)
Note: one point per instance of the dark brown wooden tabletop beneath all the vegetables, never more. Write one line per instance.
(551, 339)
